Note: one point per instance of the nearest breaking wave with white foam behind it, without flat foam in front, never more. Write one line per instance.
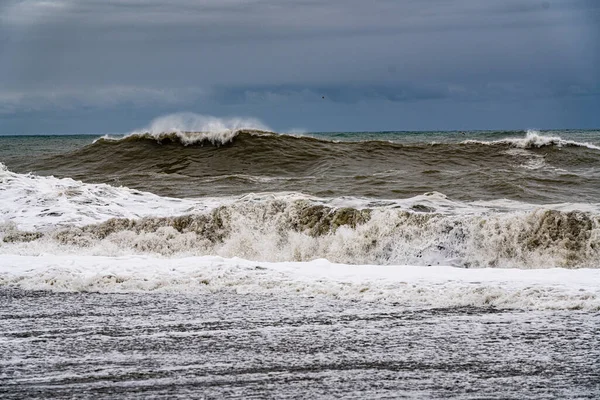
(424, 230)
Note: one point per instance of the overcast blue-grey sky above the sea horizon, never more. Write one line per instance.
(96, 66)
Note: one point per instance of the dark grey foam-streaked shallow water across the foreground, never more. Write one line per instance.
(216, 345)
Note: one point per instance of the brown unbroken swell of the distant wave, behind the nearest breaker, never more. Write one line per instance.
(534, 167)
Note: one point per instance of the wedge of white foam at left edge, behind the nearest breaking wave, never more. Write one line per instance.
(42, 202)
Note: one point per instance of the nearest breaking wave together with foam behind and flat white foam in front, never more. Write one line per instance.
(65, 235)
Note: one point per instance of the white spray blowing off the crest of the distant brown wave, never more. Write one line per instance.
(190, 128)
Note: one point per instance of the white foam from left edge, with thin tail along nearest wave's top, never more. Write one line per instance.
(34, 202)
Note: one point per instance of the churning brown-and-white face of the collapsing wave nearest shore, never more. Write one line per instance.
(301, 230)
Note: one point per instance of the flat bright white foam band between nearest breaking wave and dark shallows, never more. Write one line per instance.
(403, 285)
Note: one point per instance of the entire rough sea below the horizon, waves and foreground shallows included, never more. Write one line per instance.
(228, 260)
